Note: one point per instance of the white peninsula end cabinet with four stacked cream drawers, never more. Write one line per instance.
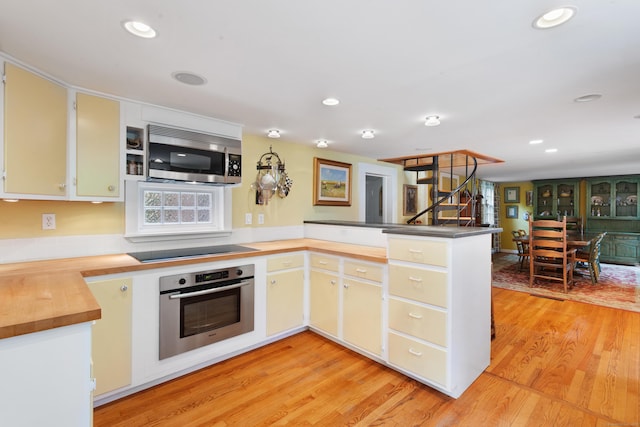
(439, 322)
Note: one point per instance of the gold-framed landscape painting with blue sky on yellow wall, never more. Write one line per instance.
(331, 183)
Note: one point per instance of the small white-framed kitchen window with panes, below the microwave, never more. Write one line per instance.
(159, 209)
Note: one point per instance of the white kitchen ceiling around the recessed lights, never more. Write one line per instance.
(495, 81)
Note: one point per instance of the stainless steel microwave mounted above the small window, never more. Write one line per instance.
(182, 155)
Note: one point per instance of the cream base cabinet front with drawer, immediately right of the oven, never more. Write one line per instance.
(285, 293)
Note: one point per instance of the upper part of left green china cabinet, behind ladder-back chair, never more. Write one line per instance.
(555, 198)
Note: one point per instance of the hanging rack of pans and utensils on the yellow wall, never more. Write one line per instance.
(271, 178)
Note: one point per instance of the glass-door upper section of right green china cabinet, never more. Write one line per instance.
(613, 197)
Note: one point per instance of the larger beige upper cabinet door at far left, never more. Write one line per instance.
(35, 135)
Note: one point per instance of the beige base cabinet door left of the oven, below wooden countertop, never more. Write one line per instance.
(111, 343)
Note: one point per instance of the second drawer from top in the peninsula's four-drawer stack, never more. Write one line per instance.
(419, 284)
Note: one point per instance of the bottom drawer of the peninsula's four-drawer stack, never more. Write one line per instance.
(421, 359)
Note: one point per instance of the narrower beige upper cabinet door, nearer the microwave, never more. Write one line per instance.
(97, 147)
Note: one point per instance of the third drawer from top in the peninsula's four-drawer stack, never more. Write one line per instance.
(417, 320)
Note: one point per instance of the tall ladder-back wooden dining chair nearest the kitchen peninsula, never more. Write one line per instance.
(549, 257)
